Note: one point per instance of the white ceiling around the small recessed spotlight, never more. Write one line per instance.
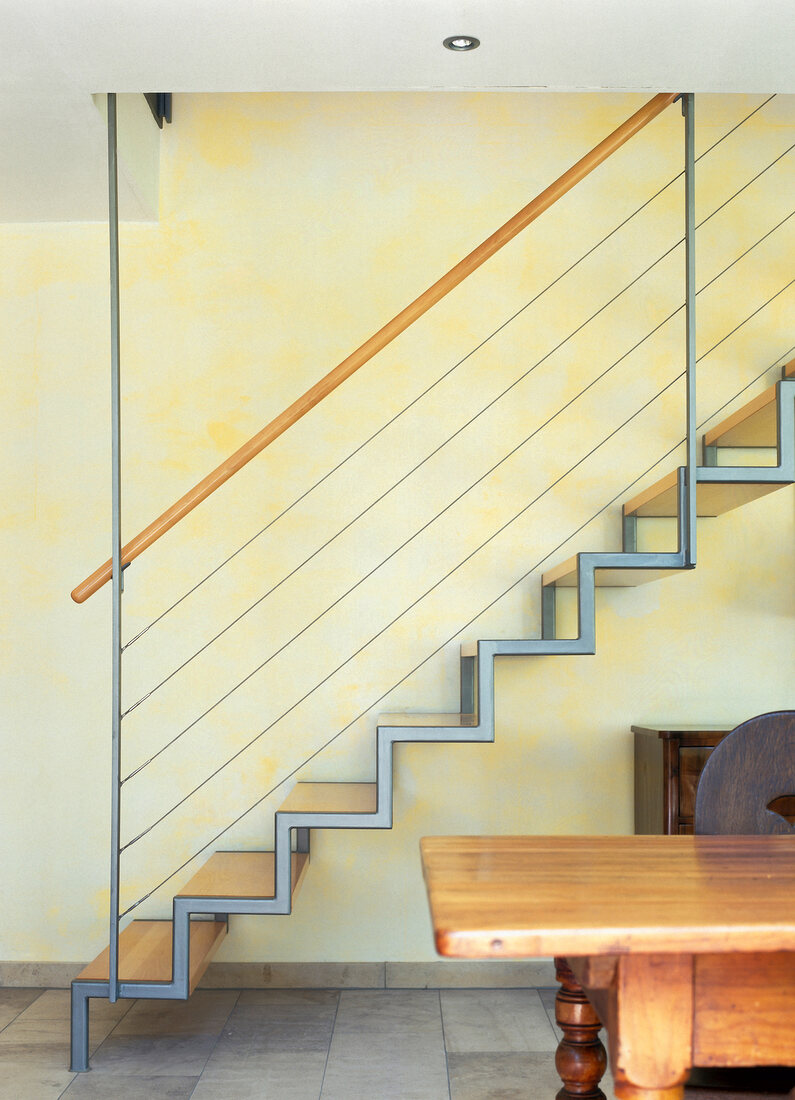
(56, 53)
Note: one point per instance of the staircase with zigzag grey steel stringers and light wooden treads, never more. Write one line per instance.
(165, 960)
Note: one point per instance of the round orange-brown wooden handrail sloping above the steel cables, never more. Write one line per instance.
(385, 336)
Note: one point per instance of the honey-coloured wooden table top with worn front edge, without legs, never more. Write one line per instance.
(513, 897)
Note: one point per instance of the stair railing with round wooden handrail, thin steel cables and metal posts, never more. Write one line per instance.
(124, 556)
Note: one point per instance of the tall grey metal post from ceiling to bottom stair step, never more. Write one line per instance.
(116, 498)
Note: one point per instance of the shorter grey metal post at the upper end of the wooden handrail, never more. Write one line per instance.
(691, 522)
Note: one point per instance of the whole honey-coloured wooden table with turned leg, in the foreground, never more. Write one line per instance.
(684, 947)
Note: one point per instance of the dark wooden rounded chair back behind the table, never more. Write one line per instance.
(748, 772)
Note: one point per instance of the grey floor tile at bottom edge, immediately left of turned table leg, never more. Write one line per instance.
(510, 1076)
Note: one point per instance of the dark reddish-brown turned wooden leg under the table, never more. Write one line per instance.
(581, 1060)
